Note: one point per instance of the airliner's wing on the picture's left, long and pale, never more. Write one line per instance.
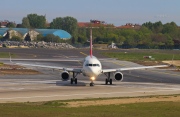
(77, 70)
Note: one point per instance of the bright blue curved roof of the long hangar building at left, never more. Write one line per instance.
(61, 33)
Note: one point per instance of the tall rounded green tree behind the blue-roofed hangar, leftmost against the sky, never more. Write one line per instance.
(37, 21)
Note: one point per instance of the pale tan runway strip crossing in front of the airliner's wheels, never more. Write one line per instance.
(34, 90)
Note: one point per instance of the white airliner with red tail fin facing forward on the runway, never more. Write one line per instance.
(91, 68)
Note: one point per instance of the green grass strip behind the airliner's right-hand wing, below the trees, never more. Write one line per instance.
(139, 56)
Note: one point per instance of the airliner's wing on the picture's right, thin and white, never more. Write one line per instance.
(132, 68)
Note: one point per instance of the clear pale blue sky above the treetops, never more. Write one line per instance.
(117, 12)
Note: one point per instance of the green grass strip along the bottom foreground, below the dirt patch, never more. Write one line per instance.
(56, 109)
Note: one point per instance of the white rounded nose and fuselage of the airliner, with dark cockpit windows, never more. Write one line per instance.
(91, 67)
